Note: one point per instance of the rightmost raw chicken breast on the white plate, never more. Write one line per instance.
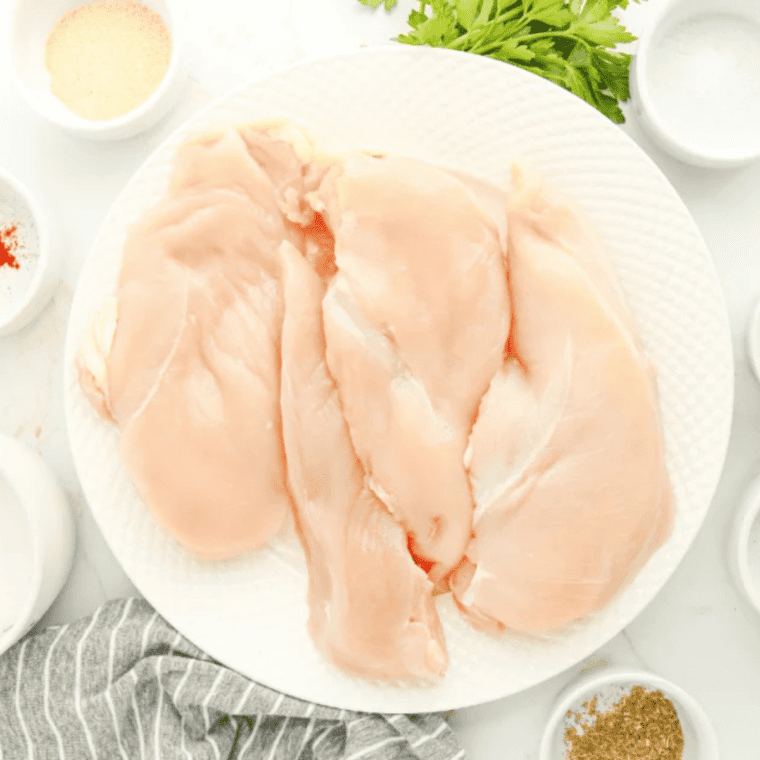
(566, 457)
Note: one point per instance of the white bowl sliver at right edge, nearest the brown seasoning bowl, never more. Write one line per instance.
(744, 547)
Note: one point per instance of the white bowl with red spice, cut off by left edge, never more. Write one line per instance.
(25, 290)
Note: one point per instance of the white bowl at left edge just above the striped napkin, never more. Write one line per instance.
(37, 539)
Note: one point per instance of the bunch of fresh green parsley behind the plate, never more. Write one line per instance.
(570, 42)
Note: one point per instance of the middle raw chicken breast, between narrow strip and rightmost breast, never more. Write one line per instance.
(415, 321)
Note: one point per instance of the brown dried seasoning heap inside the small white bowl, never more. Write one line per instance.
(643, 725)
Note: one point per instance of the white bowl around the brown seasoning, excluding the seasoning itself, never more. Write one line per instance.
(700, 742)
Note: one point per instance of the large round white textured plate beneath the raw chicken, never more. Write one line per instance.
(474, 115)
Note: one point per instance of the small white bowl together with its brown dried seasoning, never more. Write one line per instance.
(621, 714)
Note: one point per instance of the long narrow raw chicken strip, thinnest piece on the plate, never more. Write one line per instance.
(372, 610)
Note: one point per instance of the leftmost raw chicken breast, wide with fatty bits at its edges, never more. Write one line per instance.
(192, 372)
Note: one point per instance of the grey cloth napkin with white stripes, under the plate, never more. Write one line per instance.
(124, 684)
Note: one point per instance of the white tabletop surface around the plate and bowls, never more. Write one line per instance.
(697, 632)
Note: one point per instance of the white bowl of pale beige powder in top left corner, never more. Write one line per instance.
(101, 63)
